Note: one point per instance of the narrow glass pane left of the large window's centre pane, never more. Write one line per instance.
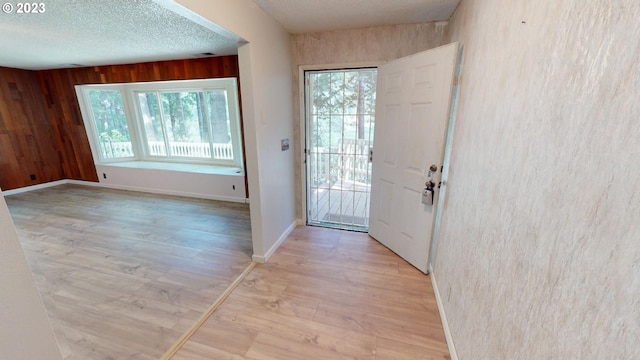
(152, 124)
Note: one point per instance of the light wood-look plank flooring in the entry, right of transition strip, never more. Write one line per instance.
(325, 294)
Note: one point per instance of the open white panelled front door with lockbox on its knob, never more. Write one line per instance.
(412, 113)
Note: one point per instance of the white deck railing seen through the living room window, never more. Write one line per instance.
(121, 149)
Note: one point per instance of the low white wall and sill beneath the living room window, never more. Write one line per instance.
(224, 187)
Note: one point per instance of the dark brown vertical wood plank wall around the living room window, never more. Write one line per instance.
(41, 128)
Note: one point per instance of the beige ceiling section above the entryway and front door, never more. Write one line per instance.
(301, 16)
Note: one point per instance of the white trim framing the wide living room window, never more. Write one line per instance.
(133, 113)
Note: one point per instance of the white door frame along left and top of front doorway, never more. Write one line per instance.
(303, 120)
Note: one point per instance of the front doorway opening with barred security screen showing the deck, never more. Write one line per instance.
(340, 119)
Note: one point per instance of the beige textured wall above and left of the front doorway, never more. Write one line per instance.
(378, 44)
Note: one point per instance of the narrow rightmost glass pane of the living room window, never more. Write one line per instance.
(220, 124)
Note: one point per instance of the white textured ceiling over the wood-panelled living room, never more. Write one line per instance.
(98, 32)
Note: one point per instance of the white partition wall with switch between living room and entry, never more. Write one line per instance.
(266, 94)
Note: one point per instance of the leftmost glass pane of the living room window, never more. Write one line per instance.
(111, 124)
